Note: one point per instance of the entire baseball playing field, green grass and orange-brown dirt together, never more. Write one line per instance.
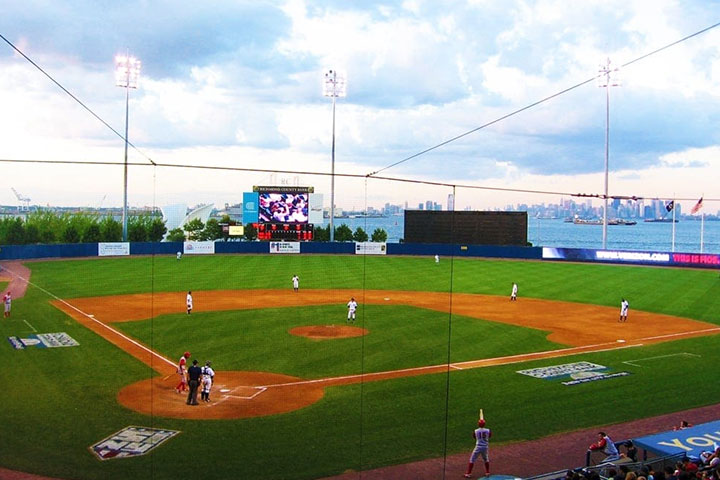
(301, 394)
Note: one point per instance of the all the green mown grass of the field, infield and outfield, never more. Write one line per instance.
(60, 401)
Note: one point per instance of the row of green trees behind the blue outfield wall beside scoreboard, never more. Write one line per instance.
(47, 227)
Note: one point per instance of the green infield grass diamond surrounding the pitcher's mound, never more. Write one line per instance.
(400, 337)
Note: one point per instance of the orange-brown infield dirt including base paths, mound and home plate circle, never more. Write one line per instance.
(583, 327)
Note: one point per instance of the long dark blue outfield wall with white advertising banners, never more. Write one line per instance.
(22, 252)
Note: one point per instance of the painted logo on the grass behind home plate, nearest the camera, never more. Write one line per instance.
(131, 442)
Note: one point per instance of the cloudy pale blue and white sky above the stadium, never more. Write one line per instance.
(238, 84)
